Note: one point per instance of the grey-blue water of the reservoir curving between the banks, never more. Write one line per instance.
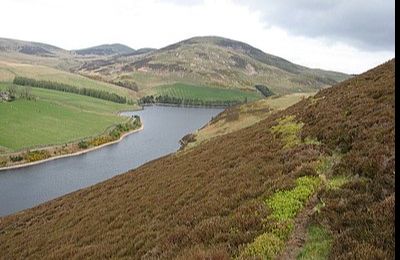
(163, 128)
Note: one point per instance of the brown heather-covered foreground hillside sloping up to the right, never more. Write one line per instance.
(322, 168)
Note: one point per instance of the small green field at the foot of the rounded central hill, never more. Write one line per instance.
(186, 91)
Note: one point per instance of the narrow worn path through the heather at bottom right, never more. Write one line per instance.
(299, 235)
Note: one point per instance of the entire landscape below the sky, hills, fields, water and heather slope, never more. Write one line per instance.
(236, 154)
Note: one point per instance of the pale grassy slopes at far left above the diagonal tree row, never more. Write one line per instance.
(46, 62)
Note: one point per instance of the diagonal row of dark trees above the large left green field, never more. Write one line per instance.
(23, 81)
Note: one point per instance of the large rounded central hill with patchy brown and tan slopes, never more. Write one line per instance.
(215, 62)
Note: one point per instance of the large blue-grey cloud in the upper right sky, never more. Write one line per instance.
(366, 24)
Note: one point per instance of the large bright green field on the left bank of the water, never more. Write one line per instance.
(53, 118)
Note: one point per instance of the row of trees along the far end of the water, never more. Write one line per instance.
(165, 99)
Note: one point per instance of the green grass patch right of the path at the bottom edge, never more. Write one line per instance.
(318, 244)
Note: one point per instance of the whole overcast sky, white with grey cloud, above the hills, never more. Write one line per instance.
(344, 35)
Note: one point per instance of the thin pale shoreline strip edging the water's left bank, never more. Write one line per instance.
(12, 167)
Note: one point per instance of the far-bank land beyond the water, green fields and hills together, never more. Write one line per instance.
(181, 74)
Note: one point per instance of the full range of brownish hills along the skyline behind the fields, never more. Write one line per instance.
(200, 61)
